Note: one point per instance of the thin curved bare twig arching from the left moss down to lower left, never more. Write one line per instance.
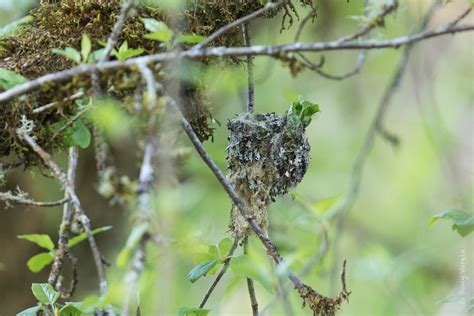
(62, 178)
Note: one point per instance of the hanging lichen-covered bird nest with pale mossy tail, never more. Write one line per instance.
(267, 155)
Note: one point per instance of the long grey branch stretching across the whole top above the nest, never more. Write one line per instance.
(231, 51)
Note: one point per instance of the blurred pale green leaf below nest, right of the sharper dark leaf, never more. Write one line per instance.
(246, 266)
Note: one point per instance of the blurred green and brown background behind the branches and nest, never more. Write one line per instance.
(397, 263)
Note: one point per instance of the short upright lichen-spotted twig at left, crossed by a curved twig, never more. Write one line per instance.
(64, 230)
